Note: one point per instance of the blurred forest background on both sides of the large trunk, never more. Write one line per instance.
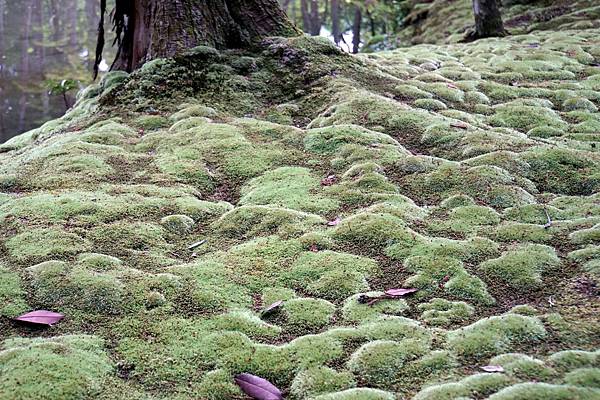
(47, 48)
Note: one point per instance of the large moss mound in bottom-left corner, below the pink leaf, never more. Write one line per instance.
(65, 367)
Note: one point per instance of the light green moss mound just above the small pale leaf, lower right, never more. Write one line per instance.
(495, 335)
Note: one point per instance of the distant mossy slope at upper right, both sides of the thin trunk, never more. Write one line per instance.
(448, 21)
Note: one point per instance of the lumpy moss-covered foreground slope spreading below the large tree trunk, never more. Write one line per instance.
(470, 172)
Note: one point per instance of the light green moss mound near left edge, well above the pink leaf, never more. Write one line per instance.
(41, 244)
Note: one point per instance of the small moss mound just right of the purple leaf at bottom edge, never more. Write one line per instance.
(320, 380)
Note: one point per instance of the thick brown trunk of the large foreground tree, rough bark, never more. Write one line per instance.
(150, 29)
